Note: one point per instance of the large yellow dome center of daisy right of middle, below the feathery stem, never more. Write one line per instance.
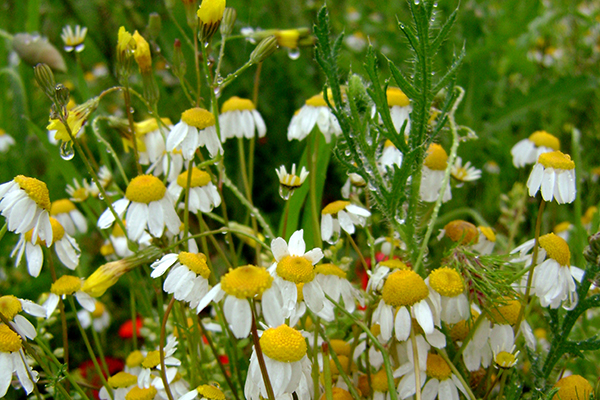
(404, 288)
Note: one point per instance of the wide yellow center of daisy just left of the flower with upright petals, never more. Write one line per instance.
(246, 282)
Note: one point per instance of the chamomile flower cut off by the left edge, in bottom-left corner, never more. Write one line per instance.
(12, 360)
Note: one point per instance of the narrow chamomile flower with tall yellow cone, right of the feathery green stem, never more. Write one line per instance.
(432, 175)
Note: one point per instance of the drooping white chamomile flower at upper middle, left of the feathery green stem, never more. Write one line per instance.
(314, 112)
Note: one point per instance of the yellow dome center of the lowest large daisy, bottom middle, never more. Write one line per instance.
(283, 344)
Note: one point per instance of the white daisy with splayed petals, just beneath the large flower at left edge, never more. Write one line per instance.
(65, 246)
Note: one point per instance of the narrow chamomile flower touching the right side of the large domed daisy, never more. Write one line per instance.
(449, 288)
